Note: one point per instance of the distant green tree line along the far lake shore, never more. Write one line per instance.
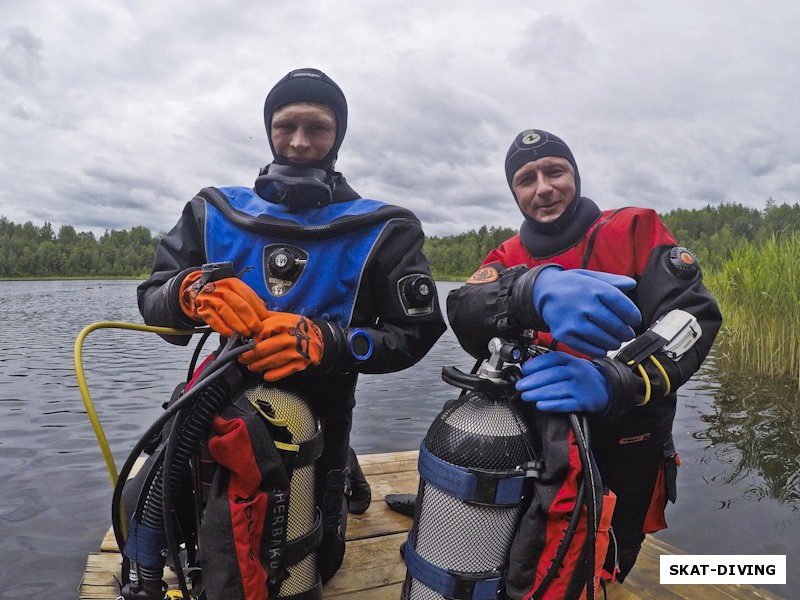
(712, 232)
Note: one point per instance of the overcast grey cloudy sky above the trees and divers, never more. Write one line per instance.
(115, 113)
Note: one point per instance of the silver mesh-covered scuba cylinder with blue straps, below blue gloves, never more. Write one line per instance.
(473, 464)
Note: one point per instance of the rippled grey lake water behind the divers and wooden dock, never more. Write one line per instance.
(738, 436)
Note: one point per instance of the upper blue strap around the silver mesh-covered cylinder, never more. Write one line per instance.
(498, 488)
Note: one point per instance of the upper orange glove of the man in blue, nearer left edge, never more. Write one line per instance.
(226, 305)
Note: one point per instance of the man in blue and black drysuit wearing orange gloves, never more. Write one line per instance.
(331, 285)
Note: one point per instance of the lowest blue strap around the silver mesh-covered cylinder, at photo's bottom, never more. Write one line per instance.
(452, 584)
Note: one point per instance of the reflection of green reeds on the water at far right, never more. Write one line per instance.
(753, 432)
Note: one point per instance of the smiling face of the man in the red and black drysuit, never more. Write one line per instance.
(544, 187)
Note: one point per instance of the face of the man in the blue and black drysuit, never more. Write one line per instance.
(303, 132)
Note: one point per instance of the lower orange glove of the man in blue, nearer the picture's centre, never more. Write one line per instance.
(287, 343)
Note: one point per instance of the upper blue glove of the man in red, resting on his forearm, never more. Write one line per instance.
(586, 310)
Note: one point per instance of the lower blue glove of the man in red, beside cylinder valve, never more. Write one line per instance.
(560, 382)
